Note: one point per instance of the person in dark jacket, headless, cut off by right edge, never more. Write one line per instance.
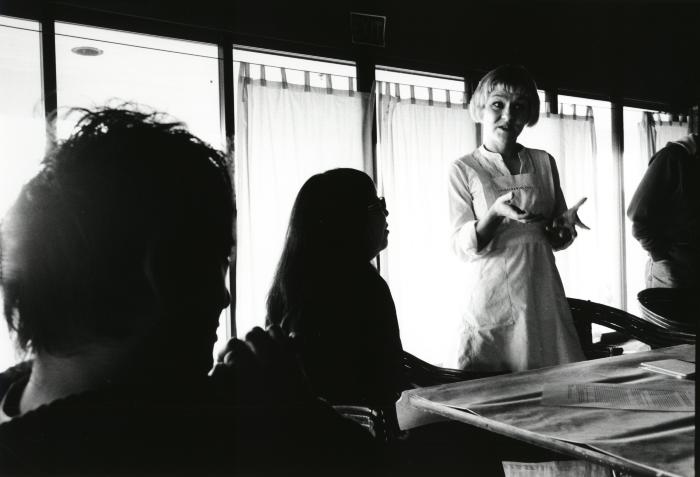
(665, 215)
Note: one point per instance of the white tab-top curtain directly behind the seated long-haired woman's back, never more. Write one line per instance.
(285, 134)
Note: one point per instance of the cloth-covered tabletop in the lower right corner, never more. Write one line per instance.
(646, 442)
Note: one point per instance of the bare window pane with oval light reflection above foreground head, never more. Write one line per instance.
(97, 66)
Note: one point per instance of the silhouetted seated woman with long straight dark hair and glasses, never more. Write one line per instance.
(328, 294)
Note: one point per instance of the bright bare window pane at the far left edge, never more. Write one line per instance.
(22, 130)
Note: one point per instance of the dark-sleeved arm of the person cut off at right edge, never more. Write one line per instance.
(649, 204)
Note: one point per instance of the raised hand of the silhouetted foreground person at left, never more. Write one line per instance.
(263, 368)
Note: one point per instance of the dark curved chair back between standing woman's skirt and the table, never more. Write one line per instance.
(629, 326)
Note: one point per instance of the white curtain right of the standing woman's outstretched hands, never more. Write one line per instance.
(591, 267)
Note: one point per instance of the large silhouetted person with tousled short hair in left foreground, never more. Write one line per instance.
(113, 263)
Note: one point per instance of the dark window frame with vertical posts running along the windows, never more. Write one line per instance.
(365, 64)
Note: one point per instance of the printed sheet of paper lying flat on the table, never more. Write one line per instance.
(619, 396)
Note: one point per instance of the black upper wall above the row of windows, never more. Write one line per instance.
(630, 50)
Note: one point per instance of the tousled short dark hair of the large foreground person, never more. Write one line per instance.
(73, 245)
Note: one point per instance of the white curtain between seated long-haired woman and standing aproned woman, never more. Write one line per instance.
(417, 141)
